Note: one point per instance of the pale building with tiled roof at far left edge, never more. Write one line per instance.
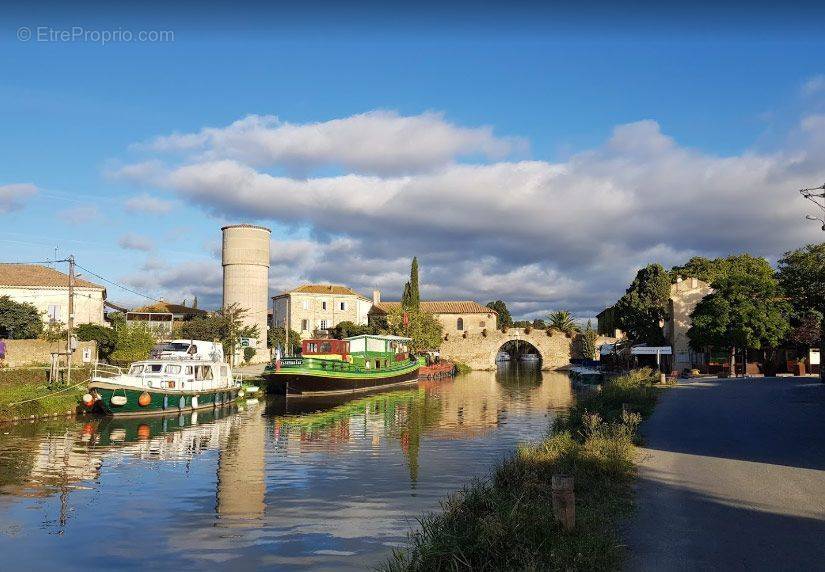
(48, 290)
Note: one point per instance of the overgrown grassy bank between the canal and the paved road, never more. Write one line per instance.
(506, 522)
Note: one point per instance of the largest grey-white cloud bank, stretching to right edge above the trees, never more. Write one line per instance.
(540, 235)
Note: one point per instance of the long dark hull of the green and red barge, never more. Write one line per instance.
(309, 383)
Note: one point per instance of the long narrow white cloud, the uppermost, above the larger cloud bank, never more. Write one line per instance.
(381, 142)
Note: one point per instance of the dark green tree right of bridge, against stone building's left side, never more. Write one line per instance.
(644, 304)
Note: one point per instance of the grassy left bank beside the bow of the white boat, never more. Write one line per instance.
(30, 385)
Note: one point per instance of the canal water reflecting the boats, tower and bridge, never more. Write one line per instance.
(330, 484)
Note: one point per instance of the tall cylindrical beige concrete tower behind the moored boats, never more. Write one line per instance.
(246, 277)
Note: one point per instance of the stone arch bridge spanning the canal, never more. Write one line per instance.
(479, 351)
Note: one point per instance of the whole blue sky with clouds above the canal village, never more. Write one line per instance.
(534, 153)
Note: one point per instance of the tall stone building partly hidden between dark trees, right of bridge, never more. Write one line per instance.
(684, 295)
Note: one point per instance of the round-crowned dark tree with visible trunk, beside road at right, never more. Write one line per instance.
(744, 311)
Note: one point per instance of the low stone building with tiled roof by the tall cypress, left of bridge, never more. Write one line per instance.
(456, 317)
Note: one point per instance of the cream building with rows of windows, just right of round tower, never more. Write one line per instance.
(314, 307)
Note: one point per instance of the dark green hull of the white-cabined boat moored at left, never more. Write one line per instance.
(161, 401)
